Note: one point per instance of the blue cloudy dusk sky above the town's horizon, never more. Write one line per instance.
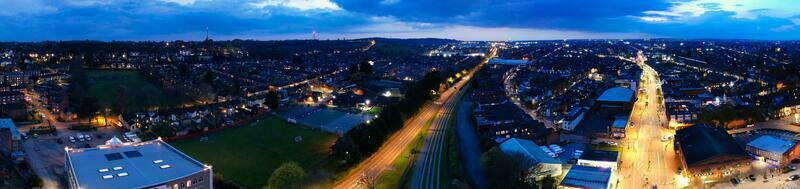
(34, 20)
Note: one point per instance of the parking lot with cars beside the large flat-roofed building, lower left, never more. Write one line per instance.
(45, 153)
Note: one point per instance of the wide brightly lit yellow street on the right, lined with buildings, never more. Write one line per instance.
(646, 160)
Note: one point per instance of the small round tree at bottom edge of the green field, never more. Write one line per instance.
(290, 175)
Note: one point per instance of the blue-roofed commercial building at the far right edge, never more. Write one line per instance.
(773, 149)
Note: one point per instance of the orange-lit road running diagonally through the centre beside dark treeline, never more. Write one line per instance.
(394, 145)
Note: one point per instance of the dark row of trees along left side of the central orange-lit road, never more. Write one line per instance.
(365, 139)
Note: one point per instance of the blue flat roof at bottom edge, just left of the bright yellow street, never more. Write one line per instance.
(587, 177)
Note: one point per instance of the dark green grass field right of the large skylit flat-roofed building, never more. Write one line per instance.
(248, 154)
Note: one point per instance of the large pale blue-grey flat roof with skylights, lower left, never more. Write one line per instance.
(130, 165)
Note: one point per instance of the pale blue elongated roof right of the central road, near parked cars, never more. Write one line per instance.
(527, 148)
